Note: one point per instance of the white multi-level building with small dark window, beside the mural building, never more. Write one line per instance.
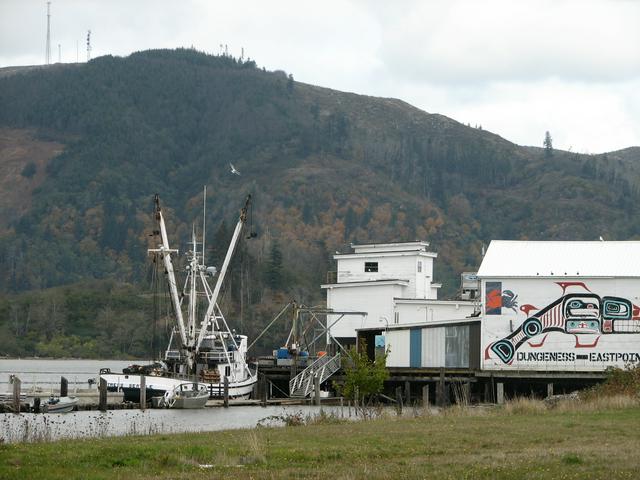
(392, 283)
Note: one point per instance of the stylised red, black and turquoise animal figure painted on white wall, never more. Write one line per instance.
(573, 313)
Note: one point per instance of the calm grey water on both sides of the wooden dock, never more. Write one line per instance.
(30, 427)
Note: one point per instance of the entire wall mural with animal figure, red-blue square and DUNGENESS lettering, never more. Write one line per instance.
(582, 314)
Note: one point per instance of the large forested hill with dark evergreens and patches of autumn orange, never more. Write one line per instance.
(84, 148)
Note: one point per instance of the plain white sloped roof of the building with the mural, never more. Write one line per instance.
(506, 258)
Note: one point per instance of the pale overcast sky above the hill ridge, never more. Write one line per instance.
(518, 68)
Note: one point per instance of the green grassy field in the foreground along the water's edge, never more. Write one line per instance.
(521, 441)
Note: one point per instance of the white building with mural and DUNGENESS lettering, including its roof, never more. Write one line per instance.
(560, 306)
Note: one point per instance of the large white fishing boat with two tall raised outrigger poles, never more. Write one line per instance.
(203, 350)
